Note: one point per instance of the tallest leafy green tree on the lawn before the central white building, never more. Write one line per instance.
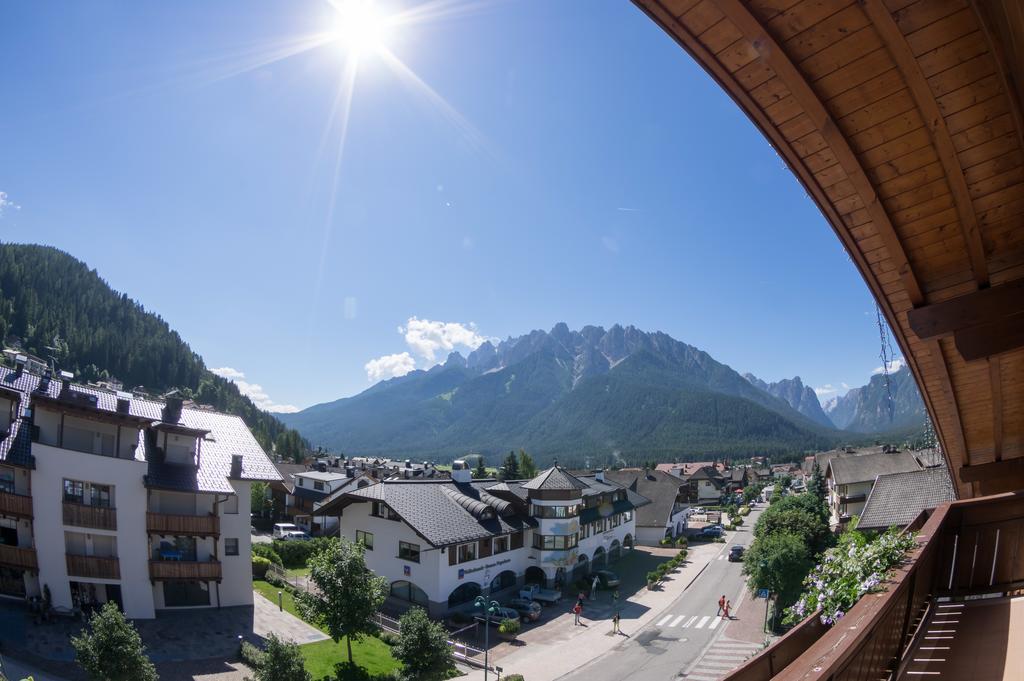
(348, 594)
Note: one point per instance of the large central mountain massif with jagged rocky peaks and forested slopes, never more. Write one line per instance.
(596, 395)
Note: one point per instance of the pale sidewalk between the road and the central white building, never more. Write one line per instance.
(546, 656)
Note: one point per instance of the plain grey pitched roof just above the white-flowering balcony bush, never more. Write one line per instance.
(897, 499)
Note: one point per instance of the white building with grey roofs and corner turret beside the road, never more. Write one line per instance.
(443, 543)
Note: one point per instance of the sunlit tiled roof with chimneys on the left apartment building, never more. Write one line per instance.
(227, 436)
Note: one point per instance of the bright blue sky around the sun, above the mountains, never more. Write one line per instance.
(582, 168)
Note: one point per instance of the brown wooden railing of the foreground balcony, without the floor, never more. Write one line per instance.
(964, 547)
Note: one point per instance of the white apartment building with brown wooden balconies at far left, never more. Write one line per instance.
(109, 497)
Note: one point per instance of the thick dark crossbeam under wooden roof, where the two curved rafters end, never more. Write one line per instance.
(973, 310)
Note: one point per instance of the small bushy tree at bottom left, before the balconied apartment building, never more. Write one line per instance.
(111, 650)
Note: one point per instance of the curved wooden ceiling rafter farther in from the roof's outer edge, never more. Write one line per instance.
(895, 42)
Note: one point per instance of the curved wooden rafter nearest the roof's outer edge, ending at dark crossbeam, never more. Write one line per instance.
(773, 55)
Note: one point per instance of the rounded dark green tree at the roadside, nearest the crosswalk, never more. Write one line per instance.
(779, 564)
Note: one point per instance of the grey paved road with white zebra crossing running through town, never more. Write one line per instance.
(667, 647)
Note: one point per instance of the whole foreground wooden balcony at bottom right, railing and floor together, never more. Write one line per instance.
(962, 577)
